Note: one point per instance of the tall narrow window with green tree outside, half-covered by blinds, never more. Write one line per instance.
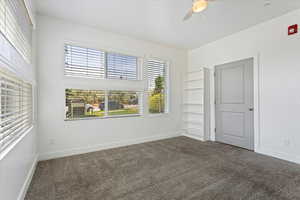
(157, 87)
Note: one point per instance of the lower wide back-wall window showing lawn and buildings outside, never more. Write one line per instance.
(98, 103)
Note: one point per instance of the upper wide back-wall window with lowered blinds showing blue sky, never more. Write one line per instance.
(90, 63)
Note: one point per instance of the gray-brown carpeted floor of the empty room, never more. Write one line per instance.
(173, 169)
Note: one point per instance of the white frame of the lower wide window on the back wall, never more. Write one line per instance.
(106, 111)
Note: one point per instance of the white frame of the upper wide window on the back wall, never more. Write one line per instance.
(139, 63)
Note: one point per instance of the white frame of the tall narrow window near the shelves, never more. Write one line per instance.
(167, 85)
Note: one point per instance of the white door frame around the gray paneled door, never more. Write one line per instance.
(256, 100)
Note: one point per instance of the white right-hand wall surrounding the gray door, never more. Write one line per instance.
(277, 73)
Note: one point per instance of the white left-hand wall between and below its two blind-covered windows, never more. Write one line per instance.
(18, 164)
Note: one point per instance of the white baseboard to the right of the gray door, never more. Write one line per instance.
(280, 155)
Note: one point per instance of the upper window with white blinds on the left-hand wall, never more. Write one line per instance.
(16, 26)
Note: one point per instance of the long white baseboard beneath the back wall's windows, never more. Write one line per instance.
(76, 151)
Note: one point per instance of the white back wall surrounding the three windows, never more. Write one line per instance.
(58, 137)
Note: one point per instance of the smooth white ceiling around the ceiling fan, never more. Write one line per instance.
(161, 20)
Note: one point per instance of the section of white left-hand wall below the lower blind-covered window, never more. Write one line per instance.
(17, 168)
